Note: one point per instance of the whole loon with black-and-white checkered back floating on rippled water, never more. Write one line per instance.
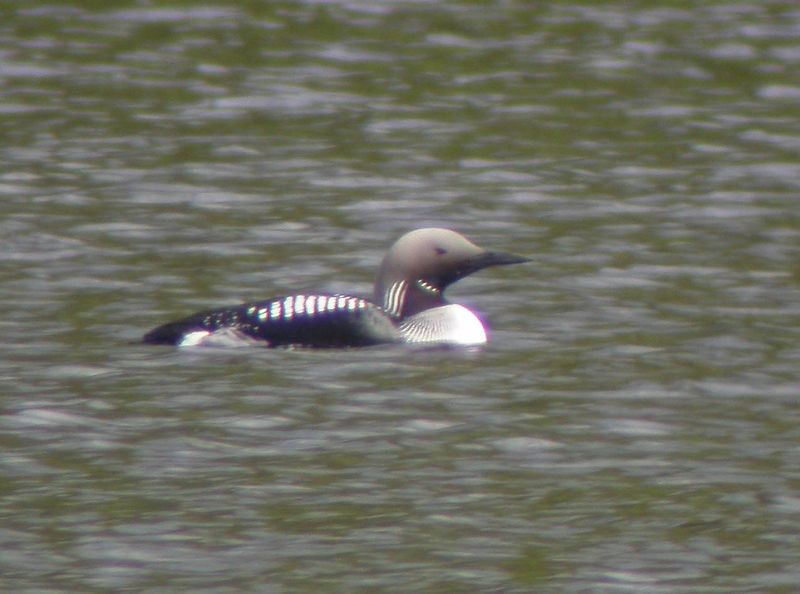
(408, 307)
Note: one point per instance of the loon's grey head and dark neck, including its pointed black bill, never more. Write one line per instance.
(423, 263)
